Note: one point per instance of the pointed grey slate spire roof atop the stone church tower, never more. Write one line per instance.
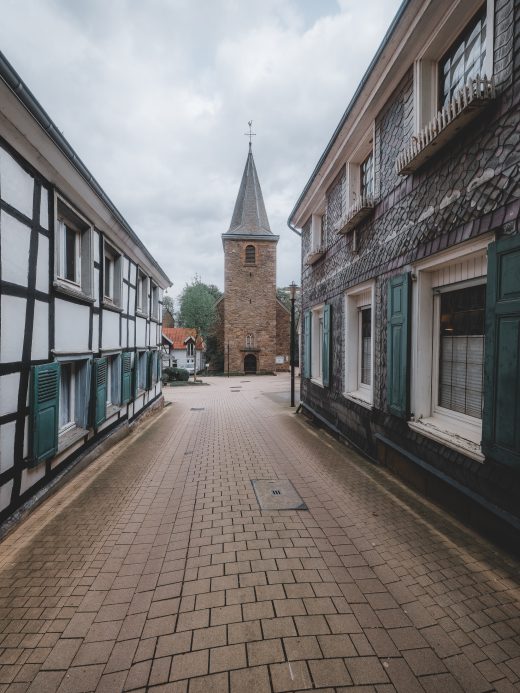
(249, 216)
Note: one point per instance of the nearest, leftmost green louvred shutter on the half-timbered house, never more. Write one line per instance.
(44, 411)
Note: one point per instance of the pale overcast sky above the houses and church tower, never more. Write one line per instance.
(155, 96)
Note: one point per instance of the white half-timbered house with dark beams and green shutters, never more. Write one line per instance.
(80, 304)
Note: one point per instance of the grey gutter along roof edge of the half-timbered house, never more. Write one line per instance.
(12, 79)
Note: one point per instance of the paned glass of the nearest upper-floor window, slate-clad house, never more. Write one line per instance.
(464, 60)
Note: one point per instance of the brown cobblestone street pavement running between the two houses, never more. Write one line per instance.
(155, 569)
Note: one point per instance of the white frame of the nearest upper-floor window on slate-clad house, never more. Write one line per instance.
(426, 67)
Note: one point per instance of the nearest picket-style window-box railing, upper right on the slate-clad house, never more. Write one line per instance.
(464, 107)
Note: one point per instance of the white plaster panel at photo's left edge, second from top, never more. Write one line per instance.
(16, 238)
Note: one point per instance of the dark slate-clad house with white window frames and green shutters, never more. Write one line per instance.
(411, 260)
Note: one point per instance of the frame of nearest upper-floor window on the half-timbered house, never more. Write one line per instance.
(67, 217)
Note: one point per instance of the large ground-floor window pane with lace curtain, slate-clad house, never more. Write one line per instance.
(461, 367)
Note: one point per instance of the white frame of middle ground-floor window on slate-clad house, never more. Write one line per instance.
(356, 299)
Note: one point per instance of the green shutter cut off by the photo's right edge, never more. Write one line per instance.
(501, 418)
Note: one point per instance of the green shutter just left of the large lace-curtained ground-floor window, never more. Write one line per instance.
(398, 345)
